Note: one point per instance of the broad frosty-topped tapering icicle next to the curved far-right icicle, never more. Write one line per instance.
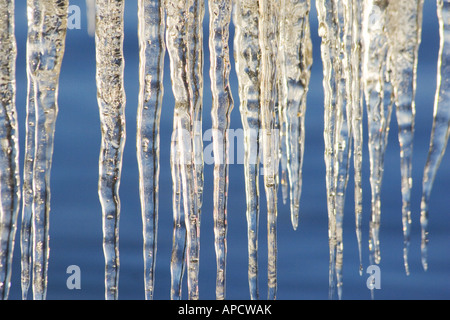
(404, 28)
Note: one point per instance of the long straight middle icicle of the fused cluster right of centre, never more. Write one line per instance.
(268, 11)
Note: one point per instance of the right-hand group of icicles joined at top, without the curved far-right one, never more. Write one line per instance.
(383, 37)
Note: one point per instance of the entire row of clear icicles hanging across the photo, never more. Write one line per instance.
(369, 49)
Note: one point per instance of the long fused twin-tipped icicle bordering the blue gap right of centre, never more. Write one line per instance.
(335, 28)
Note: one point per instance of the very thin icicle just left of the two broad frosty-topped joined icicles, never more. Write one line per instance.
(356, 119)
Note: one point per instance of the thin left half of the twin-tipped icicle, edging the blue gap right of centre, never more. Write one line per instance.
(328, 33)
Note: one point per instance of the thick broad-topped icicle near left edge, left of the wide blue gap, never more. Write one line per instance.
(47, 23)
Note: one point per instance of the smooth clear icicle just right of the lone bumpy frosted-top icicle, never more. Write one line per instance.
(152, 49)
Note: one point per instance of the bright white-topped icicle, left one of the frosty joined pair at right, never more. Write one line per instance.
(378, 93)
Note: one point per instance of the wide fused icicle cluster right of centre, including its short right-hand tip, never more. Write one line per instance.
(273, 59)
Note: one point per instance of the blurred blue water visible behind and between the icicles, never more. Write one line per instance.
(75, 224)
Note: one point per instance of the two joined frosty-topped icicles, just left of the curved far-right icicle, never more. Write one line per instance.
(389, 78)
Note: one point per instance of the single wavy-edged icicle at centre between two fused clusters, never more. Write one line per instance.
(222, 104)
